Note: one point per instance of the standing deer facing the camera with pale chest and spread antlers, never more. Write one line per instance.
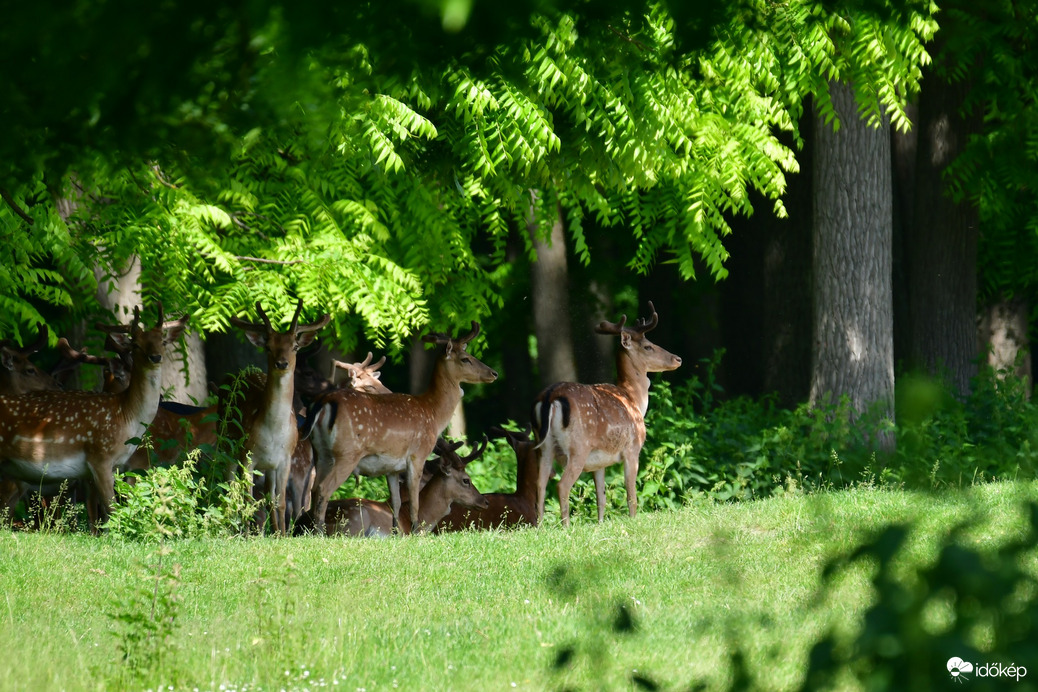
(268, 425)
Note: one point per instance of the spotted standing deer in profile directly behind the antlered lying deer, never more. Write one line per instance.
(394, 434)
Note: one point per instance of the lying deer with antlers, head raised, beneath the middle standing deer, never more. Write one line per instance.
(449, 485)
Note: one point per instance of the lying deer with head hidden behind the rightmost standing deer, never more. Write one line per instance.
(505, 510)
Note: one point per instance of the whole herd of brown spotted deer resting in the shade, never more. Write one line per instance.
(302, 437)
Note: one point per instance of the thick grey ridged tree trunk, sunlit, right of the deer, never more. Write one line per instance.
(854, 317)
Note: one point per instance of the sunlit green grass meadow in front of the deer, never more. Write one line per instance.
(666, 598)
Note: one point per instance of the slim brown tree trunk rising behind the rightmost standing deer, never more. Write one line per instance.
(550, 286)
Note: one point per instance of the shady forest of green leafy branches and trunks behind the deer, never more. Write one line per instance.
(830, 192)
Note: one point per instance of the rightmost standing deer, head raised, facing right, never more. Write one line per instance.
(588, 428)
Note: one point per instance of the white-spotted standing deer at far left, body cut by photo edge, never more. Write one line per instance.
(52, 436)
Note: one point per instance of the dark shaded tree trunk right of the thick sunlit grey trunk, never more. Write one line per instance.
(942, 245)
